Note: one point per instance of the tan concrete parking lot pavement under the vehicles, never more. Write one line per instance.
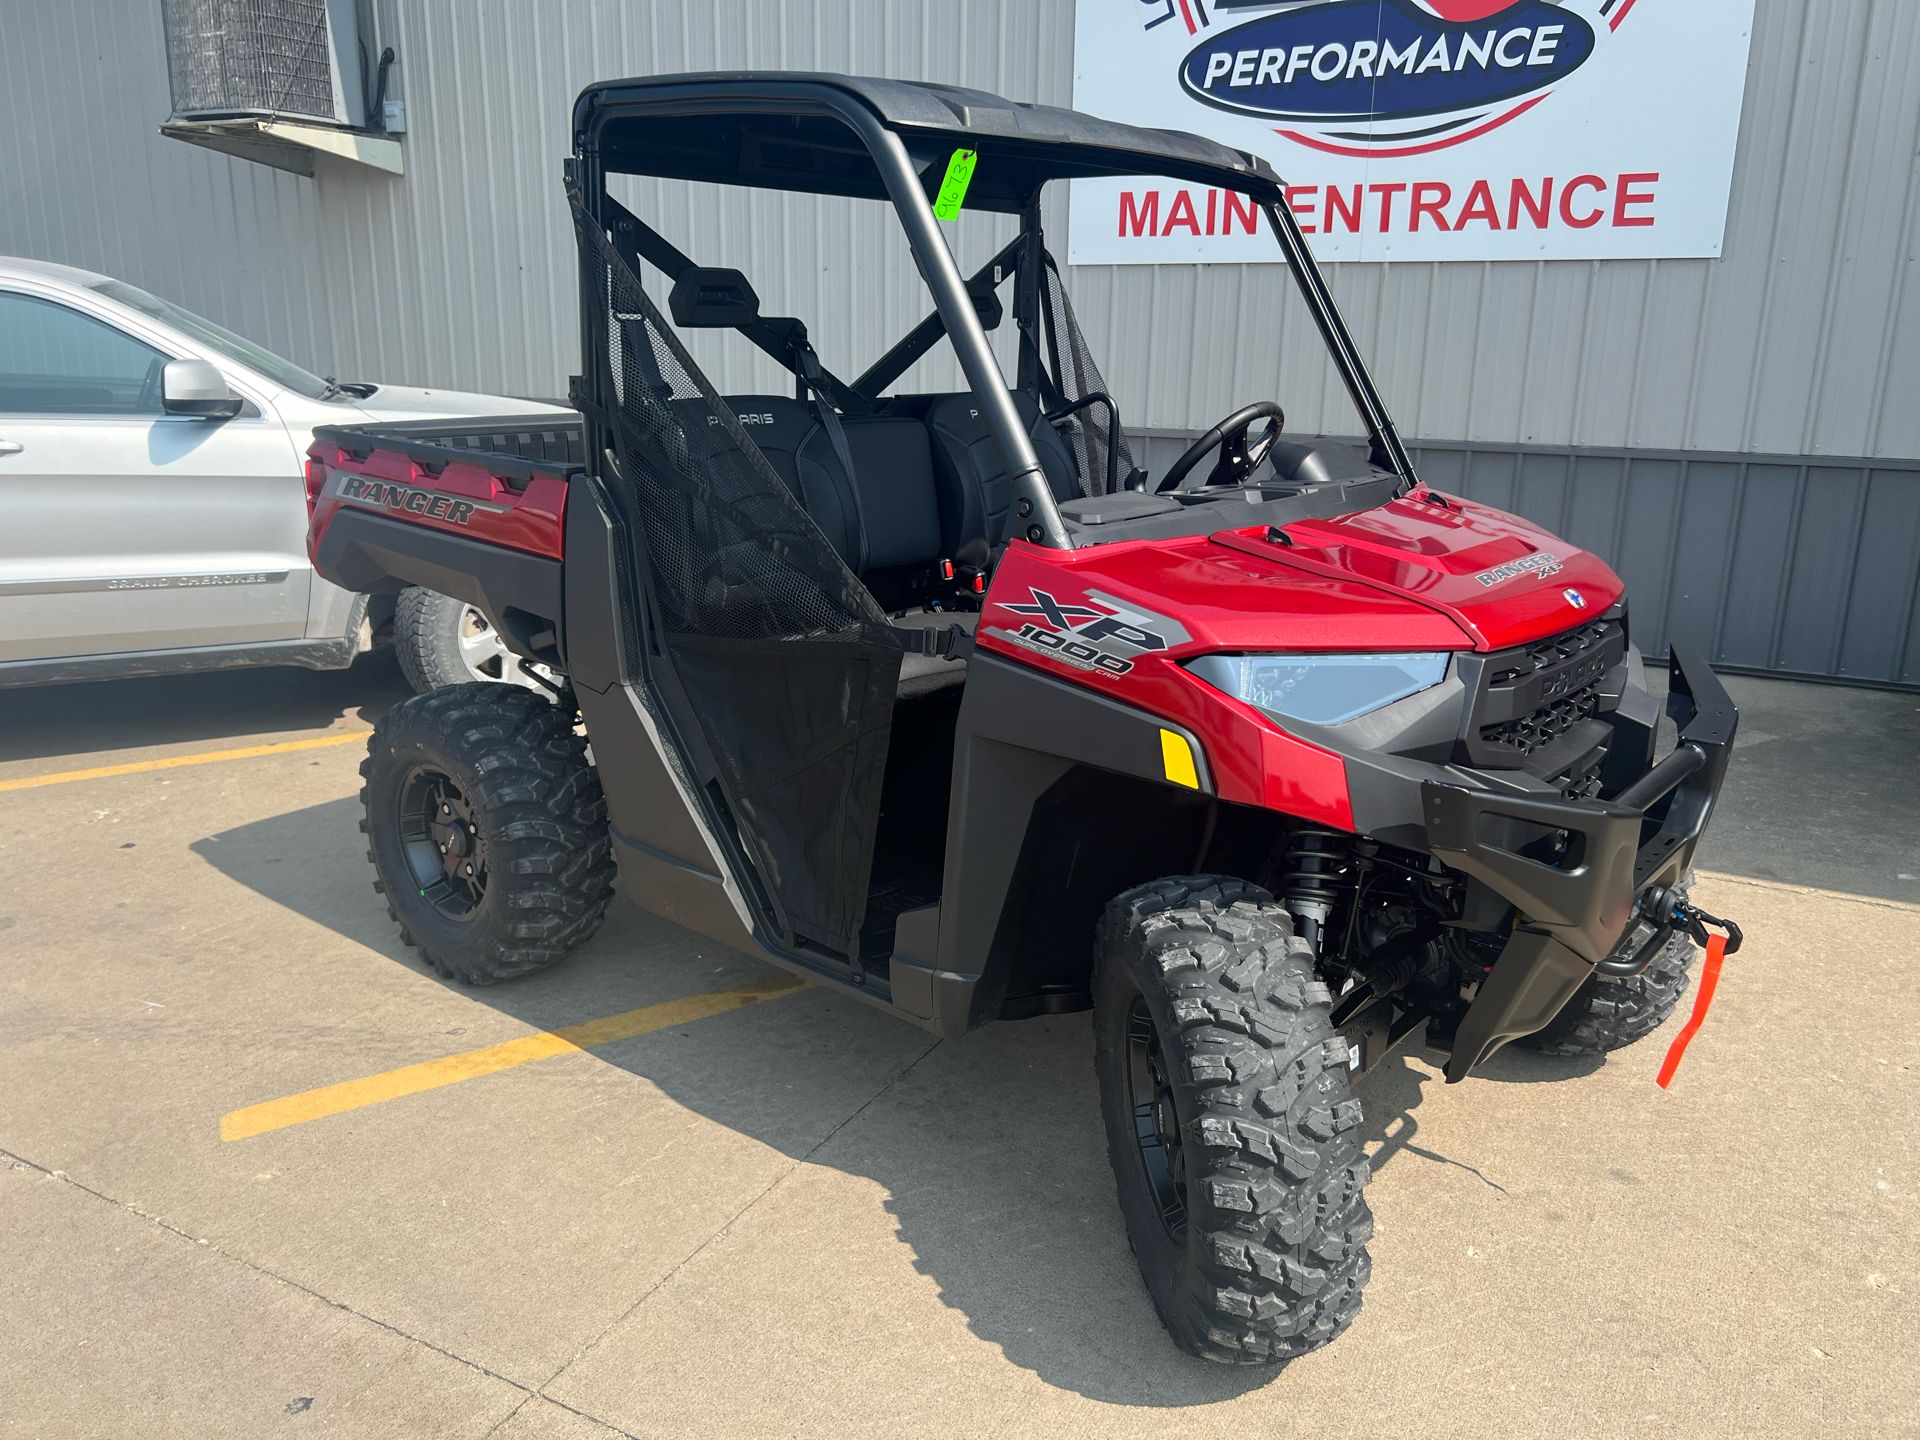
(805, 1218)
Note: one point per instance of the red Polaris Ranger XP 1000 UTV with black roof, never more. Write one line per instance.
(1270, 759)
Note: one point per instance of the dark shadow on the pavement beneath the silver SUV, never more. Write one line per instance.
(112, 715)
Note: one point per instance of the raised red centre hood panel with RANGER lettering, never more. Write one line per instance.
(1499, 577)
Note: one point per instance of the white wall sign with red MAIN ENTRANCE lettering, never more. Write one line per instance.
(1422, 130)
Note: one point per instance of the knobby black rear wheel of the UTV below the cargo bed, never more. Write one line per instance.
(489, 830)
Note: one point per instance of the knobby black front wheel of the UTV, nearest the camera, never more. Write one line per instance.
(1234, 1134)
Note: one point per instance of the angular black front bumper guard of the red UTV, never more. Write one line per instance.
(1579, 909)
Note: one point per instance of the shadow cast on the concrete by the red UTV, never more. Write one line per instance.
(988, 1149)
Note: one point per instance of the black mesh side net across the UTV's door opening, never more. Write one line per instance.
(784, 665)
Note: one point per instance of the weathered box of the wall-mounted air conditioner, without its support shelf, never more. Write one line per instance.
(299, 59)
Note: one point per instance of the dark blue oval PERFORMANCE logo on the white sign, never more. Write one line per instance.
(1370, 78)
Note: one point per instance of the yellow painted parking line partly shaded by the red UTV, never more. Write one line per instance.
(487, 1061)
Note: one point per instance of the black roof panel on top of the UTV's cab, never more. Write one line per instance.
(802, 132)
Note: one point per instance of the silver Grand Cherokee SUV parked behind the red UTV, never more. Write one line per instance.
(153, 496)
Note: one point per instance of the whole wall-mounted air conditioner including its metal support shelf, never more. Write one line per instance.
(279, 82)
